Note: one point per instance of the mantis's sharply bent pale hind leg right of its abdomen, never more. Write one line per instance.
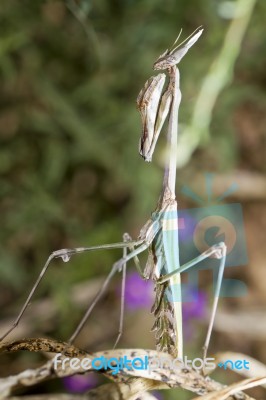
(219, 251)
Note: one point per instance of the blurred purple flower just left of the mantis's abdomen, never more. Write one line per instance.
(139, 293)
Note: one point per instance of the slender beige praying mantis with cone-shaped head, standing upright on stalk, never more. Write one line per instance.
(160, 234)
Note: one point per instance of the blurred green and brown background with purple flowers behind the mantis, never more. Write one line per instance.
(71, 175)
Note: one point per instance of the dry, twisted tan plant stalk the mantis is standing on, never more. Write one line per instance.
(128, 385)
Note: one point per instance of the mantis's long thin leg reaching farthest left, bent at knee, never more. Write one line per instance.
(65, 254)
